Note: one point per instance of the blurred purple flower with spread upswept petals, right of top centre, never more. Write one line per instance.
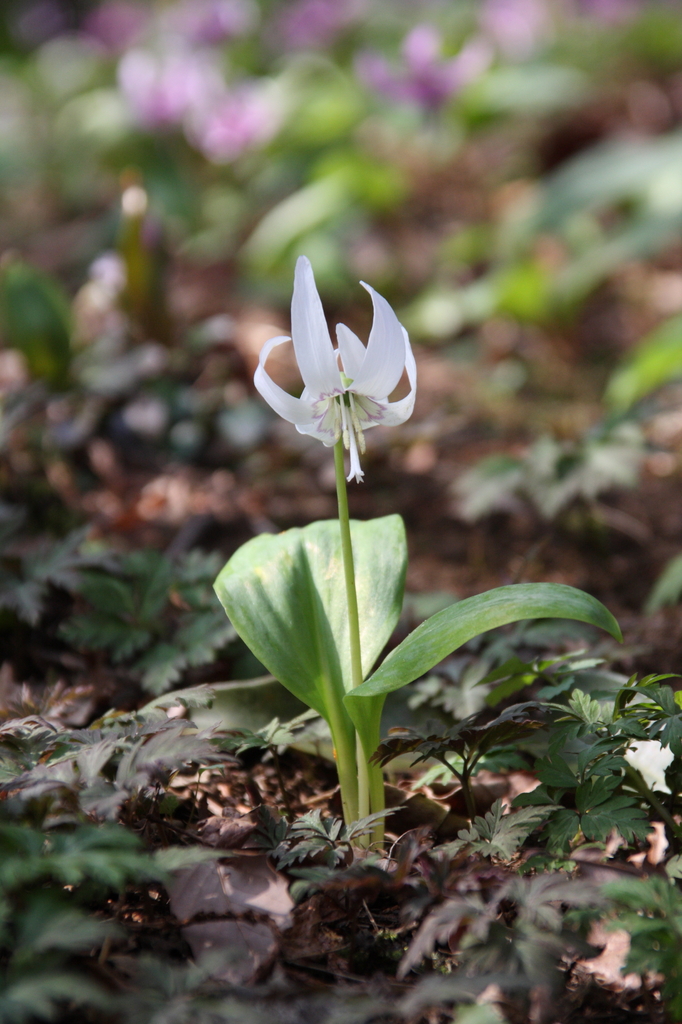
(425, 78)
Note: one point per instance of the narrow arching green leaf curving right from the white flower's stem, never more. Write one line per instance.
(445, 632)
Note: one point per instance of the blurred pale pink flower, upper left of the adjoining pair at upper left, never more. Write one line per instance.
(163, 91)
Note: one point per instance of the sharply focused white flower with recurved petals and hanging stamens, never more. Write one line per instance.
(347, 390)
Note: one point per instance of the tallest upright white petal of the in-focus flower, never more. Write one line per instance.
(313, 345)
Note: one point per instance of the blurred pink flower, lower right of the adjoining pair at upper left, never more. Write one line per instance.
(243, 119)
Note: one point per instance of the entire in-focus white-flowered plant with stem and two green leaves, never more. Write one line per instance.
(318, 606)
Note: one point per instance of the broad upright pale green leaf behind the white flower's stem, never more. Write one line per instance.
(286, 598)
